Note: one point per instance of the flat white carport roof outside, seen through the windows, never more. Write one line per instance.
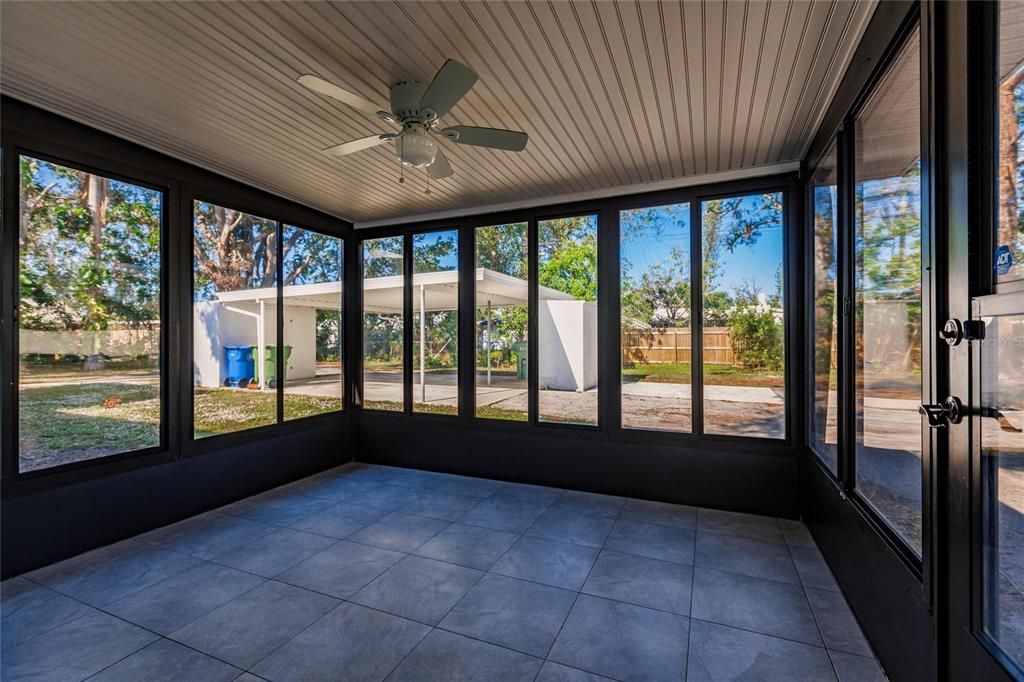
(386, 294)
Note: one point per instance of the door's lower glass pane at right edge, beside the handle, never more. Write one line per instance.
(1003, 481)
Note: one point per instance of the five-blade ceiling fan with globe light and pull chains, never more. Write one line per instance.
(417, 108)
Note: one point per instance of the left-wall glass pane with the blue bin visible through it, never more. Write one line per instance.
(235, 319)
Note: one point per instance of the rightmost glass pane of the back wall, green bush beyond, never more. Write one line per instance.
(743, 346)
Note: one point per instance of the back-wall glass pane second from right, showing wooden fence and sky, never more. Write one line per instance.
(655, 266)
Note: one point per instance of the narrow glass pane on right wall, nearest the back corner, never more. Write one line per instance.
(824, 420)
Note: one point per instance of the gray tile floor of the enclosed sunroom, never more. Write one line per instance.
(367, 573)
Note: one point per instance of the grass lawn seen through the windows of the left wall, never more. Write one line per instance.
(73, 422)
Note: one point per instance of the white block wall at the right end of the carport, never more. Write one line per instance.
(568, 346)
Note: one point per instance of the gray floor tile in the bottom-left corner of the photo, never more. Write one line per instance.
(74, 651)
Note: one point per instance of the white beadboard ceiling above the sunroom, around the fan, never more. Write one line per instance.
(612, 94)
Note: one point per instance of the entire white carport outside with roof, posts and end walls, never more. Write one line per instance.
(249, 318)
